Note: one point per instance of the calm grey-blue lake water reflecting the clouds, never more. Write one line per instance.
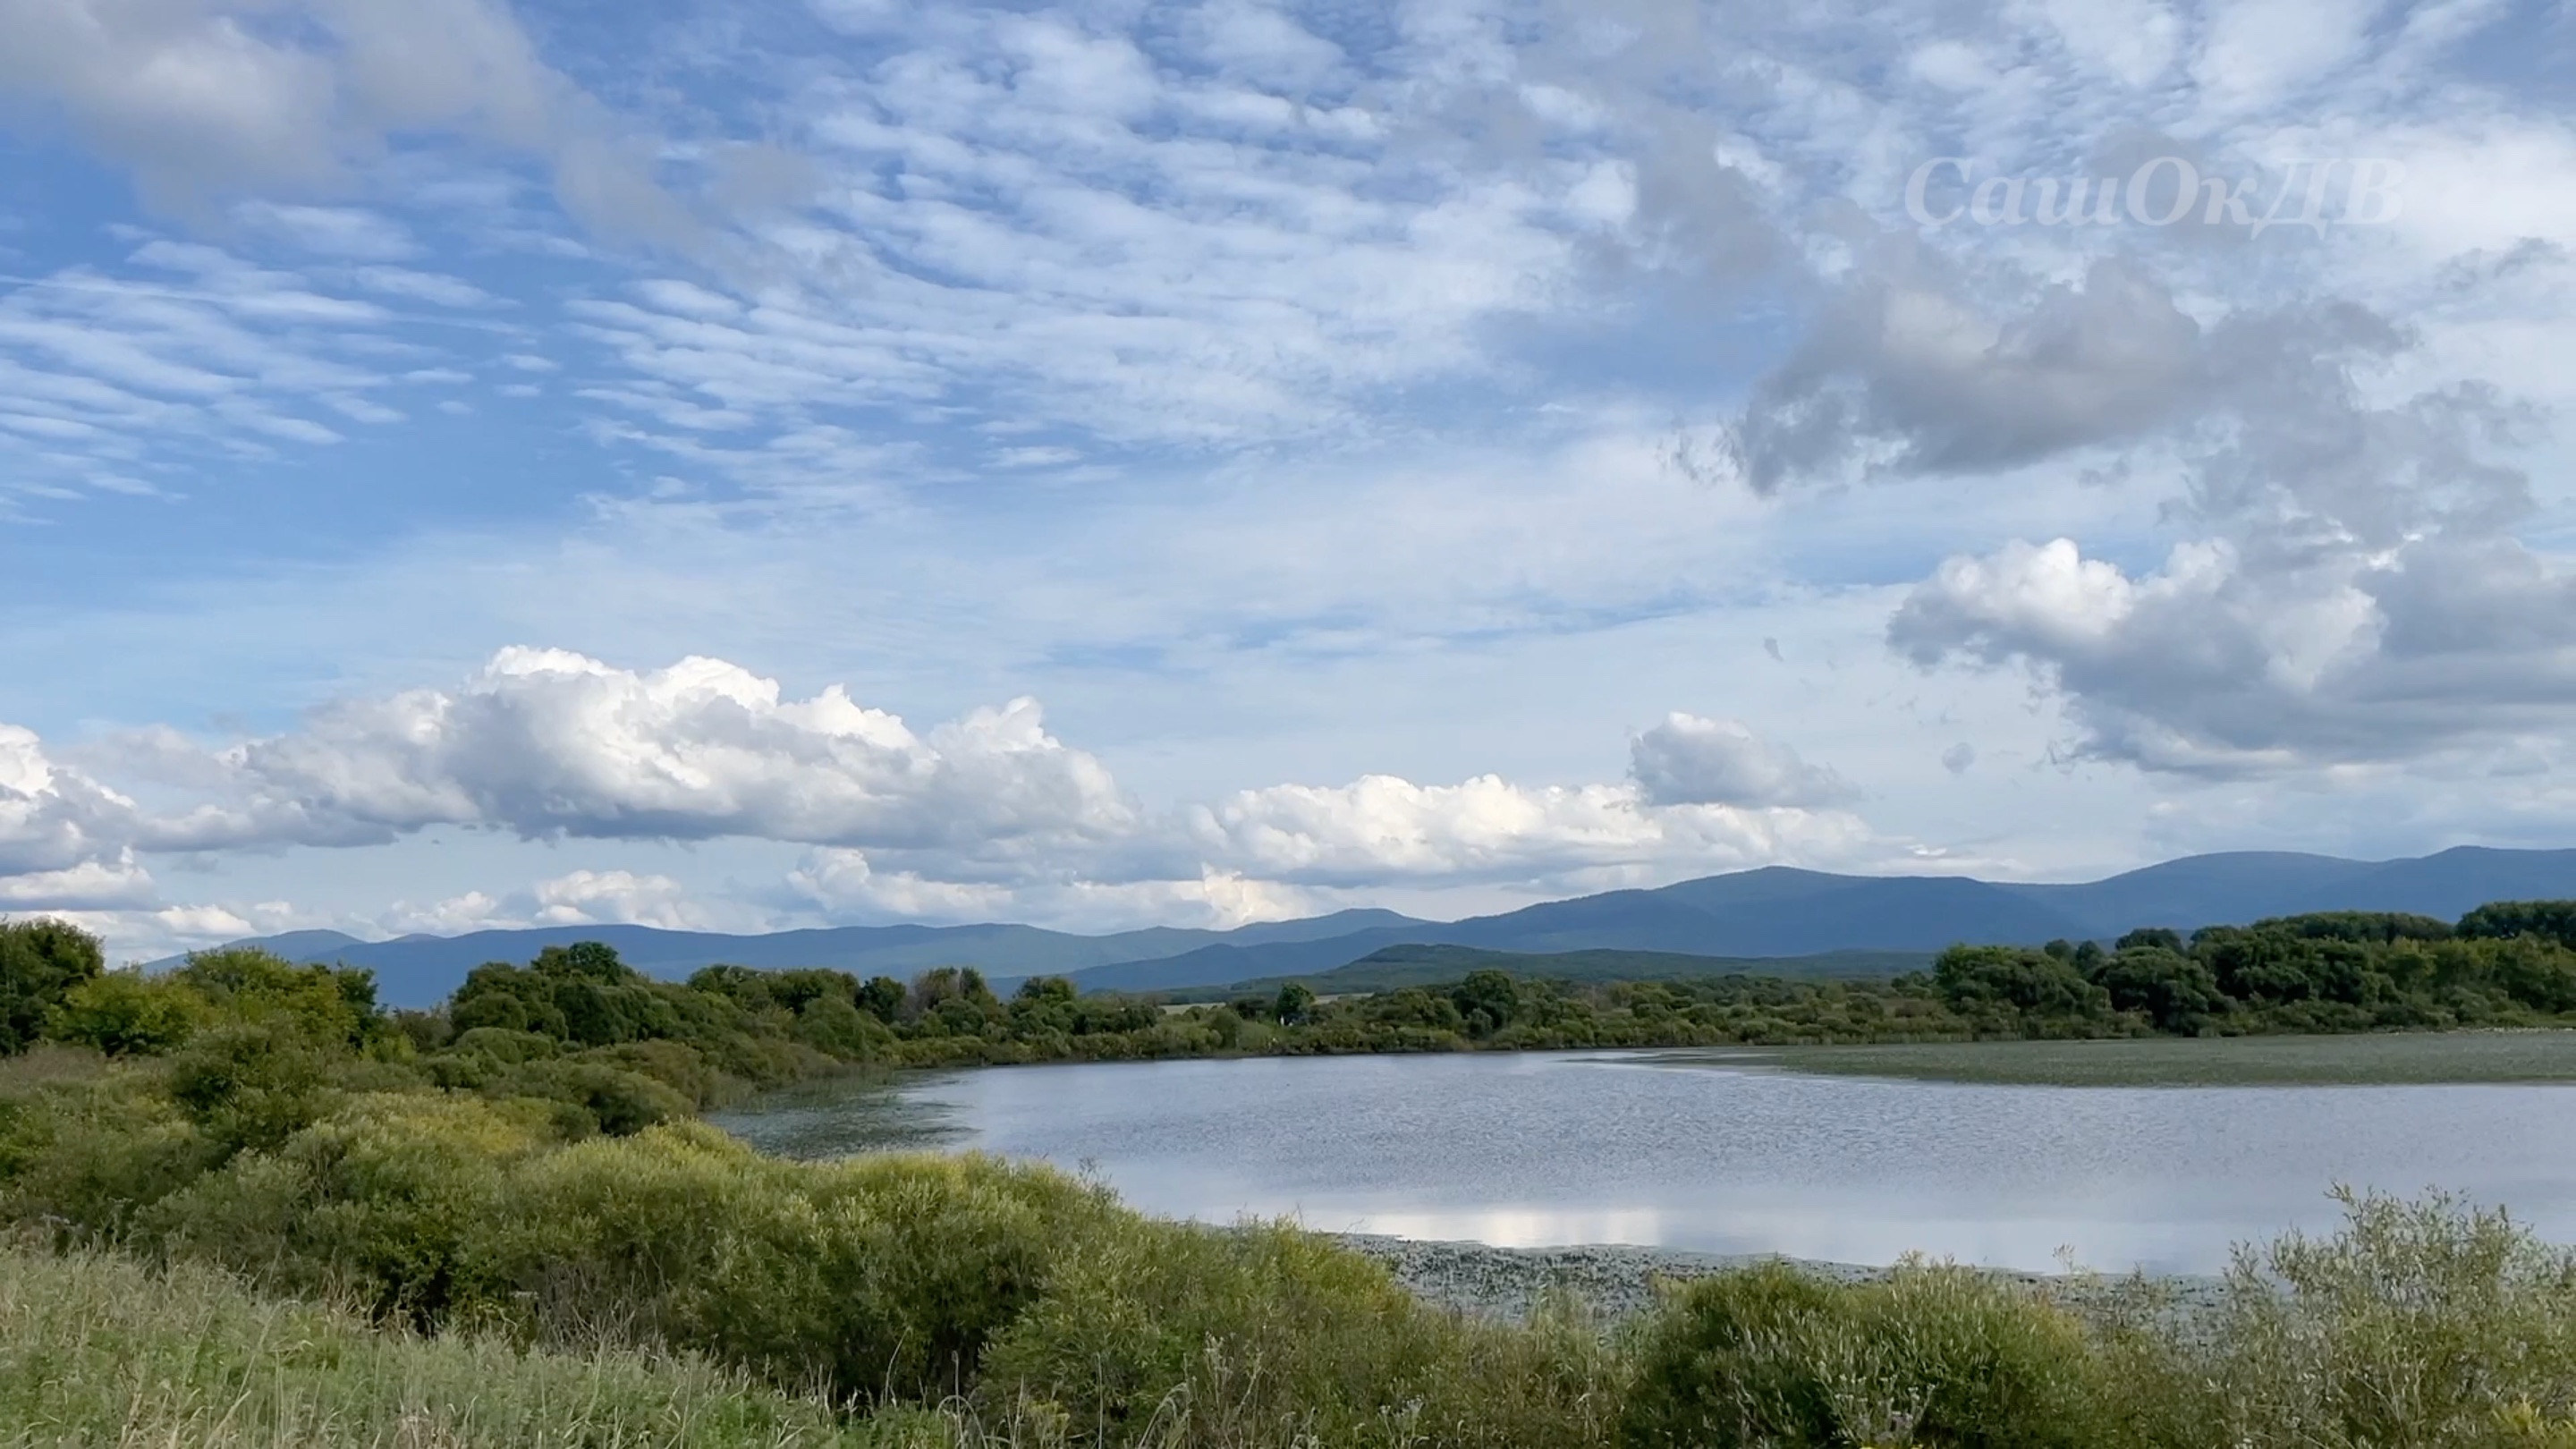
(1586, 1149)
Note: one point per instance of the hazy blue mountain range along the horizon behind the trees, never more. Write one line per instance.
(1771, 911)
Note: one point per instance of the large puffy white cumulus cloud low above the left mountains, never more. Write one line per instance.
(555, 744)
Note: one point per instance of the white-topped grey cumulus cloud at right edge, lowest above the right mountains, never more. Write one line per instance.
(2219, 664)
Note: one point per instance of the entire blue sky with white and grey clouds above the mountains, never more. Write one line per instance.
(802, 463)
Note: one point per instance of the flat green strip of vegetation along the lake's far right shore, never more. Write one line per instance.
(2415, 1058)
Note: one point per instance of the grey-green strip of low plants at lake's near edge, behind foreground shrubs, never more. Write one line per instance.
(1619, 1280)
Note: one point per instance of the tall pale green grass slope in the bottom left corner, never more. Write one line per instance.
(102, 1350)
